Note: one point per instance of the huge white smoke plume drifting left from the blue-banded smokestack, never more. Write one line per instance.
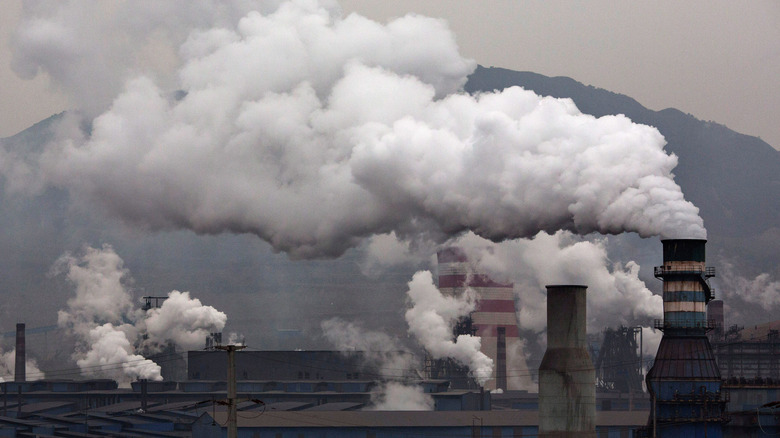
(295, 109)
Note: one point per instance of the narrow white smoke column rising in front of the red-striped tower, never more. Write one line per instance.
(432, 317)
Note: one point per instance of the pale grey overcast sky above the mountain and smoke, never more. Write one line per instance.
(719, 60)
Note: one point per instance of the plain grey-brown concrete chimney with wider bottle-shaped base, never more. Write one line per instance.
(567, 379)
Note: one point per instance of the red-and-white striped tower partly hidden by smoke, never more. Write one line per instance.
(494, 319)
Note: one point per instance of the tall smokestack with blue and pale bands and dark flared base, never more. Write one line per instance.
(684, 382)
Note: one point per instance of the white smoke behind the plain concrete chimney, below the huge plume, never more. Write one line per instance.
(615, 292)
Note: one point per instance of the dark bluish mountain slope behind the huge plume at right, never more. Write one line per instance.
(733, 178)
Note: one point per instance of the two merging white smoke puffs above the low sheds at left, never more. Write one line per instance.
(108, 327)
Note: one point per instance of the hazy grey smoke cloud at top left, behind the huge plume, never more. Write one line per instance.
(89, 50)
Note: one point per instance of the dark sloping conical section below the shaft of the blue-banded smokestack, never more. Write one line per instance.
(684, 358)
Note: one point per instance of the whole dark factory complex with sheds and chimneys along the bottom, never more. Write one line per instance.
(329, 393)
